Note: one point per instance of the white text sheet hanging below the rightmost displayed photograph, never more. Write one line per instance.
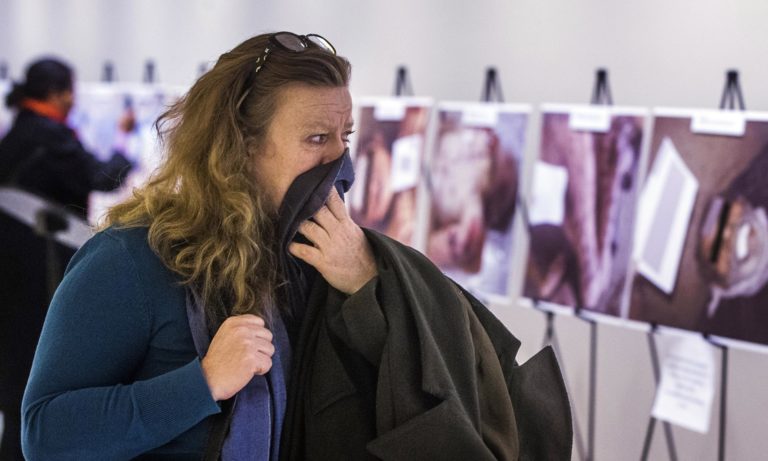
(687, 386)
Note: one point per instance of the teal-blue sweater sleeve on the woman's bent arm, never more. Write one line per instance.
(81, 401)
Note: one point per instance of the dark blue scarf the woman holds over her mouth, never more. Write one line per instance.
(256, 413)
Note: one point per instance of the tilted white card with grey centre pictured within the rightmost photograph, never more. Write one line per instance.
(664, 212)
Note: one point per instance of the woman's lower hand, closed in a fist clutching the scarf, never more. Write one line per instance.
(240, 349)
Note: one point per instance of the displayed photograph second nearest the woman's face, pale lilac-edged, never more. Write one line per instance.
(474, 173)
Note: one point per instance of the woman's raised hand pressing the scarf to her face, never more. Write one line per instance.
(339, 250)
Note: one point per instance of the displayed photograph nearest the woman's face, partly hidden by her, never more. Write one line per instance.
(388, 156)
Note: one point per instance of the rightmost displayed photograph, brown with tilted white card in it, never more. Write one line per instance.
(701, 247)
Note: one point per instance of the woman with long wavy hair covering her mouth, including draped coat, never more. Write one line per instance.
(240, 252)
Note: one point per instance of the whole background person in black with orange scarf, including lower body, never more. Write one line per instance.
(40, 155)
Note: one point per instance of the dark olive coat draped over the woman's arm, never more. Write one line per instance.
(413, 368)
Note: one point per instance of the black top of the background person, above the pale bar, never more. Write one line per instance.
(44, 157)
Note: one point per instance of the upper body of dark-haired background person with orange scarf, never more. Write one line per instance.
(42, 155)
